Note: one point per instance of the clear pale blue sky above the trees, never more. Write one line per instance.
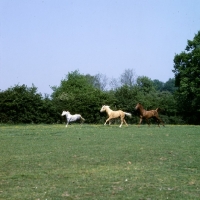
(42, 40)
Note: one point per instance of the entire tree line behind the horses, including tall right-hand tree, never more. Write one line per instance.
(178, 98)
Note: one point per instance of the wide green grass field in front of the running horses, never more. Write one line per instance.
(99, 162)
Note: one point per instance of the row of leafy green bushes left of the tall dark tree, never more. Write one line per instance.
(85, 94)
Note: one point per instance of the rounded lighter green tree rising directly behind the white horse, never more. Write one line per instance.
(78, 93)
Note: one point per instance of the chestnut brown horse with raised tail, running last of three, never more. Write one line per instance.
(144, 114)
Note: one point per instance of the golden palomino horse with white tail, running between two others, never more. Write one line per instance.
(114, 114)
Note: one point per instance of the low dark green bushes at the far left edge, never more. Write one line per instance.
(21, 104)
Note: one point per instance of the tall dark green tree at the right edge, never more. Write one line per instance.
(187, 79)
